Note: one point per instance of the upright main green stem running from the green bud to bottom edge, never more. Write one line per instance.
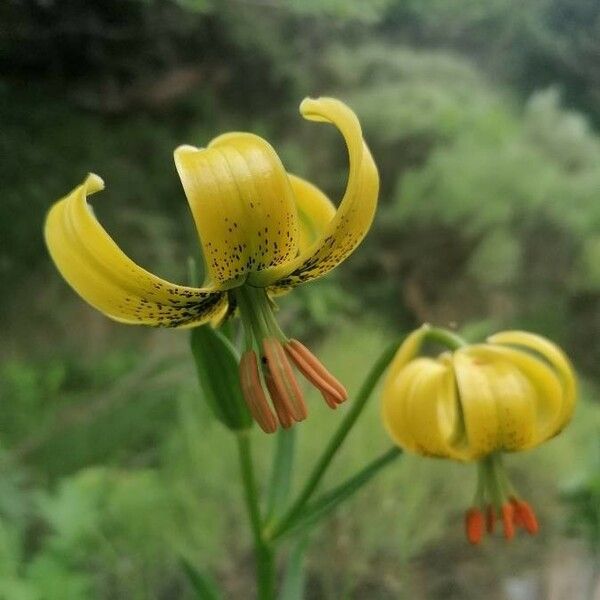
(265, 558)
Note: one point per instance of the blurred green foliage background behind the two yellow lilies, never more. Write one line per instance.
(484, 120)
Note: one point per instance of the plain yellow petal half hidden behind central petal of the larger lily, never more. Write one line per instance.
(315, 211)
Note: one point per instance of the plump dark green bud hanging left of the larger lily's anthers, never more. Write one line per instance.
(217, 367)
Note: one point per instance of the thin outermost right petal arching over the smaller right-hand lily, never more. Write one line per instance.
(557, 360)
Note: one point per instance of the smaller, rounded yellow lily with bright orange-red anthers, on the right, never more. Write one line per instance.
(474, 403)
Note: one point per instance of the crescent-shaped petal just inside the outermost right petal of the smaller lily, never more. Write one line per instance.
(548, 388)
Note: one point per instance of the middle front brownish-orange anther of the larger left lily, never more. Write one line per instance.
(288, 392)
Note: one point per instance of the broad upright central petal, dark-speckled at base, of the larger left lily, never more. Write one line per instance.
(242, 203)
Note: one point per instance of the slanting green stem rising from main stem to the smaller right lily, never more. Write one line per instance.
(335, 442)
